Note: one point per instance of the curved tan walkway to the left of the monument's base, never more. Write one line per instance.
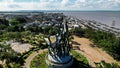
(30, 58)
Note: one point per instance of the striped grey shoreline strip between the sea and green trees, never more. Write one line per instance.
(95, 25)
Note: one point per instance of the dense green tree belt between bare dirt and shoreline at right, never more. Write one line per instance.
(109, 42)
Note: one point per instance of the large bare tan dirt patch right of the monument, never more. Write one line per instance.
(93, 53)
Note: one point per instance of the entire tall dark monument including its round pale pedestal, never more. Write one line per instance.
(59, 48)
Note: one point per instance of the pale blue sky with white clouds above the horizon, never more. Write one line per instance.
(14, 5)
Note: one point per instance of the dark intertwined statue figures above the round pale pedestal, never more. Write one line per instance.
(61, 47)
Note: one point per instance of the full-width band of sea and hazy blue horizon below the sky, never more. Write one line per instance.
(105, 17)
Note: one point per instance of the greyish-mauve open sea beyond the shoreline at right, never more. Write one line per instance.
(105, 17)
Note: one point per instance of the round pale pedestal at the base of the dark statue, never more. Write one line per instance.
(65, 62)
